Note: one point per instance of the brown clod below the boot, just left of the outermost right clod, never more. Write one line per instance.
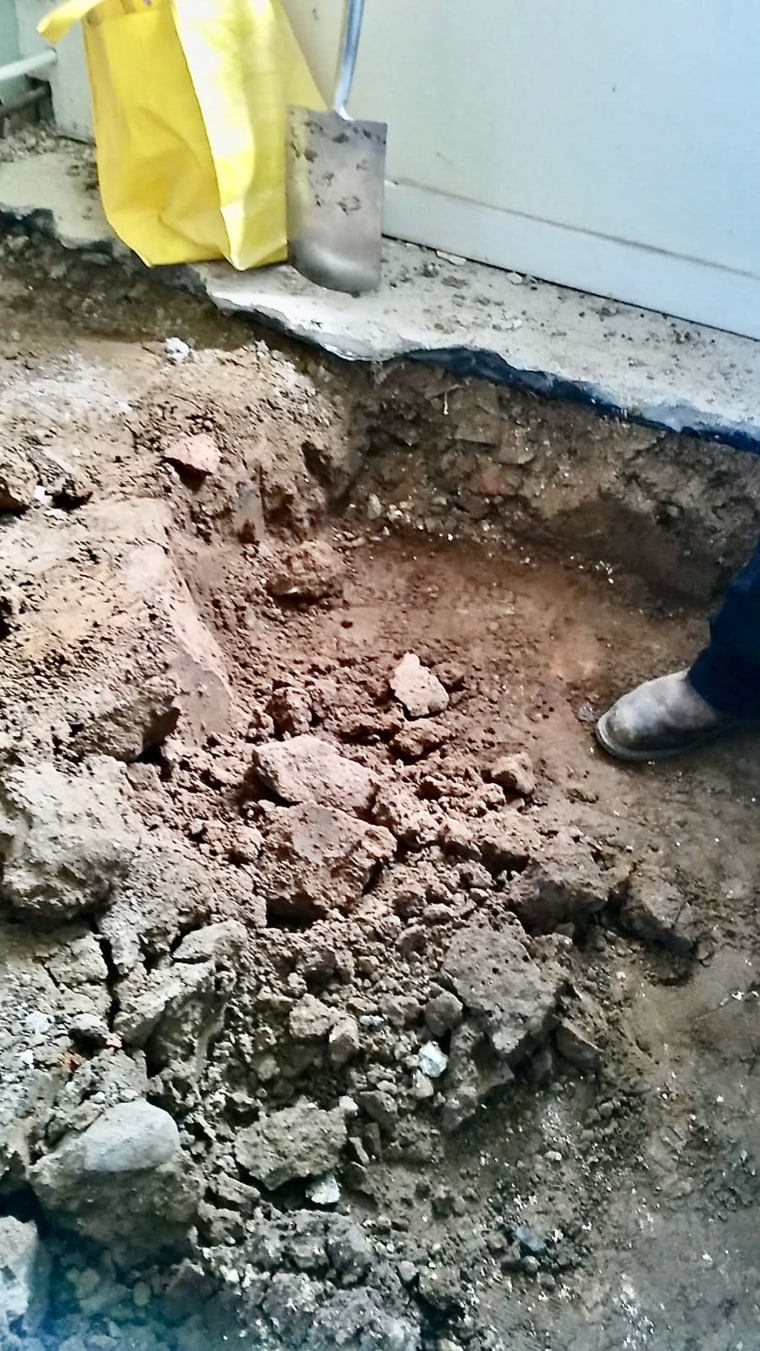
(560, 890)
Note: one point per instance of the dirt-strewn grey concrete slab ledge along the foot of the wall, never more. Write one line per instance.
(473, 318)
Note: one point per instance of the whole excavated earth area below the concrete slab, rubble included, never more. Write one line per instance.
(349, 996)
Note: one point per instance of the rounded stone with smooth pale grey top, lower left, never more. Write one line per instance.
(124, 1183)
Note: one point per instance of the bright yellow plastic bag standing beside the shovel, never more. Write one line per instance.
(190, 109)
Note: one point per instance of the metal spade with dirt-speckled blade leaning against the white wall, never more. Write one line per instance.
(335, 183)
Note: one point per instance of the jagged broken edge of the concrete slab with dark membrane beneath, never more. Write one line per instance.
(385, 344)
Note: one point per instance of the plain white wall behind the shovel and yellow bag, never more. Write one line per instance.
(604, 144)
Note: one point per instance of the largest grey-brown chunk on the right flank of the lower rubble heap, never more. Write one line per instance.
(506, 991)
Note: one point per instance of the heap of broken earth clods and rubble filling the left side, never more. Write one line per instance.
(254, 938)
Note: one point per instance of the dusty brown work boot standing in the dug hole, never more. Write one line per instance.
(661, 719)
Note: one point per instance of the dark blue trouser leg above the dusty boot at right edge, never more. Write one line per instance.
(728, 672)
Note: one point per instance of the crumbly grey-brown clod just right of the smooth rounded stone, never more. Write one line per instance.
(300, 1142)
